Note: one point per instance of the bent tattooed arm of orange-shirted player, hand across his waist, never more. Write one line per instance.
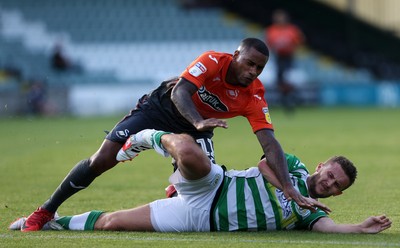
(182, 98)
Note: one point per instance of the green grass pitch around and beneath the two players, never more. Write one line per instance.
(37, 153)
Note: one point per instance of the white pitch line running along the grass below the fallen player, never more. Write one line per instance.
(111, 237)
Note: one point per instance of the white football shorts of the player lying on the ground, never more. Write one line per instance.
(190, 210)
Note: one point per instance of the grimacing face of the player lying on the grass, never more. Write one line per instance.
(328, 180)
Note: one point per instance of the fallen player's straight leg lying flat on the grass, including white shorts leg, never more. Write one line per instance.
(165, 215)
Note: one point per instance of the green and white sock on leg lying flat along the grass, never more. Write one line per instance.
(80, 222)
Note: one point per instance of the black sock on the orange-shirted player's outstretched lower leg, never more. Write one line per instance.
(77, 179)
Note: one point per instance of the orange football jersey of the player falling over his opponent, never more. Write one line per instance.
(216, 98)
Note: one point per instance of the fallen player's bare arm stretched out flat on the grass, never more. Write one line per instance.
(371, 225)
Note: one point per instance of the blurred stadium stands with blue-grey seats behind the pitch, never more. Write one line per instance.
(123, 48)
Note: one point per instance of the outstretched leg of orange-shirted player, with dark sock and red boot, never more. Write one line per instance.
(87, 170)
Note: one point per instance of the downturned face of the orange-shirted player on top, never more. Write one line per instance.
(247, 65)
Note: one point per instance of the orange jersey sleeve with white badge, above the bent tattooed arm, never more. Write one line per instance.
(202, 68)
